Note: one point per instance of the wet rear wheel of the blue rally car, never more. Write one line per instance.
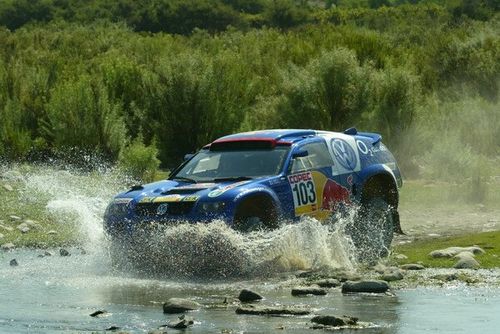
(372, 231)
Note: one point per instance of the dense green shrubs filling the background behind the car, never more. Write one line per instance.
(141, 83)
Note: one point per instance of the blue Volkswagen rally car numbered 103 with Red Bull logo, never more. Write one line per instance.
(257, 179)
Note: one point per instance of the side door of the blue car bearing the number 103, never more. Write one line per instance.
(314, 189)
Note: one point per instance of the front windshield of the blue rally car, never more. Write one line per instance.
(227, 165)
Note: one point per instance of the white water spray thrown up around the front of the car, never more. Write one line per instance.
(188, 250)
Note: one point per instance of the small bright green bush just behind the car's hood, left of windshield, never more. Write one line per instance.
(139, 161)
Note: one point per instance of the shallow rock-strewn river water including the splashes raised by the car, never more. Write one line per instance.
(209, 264)
